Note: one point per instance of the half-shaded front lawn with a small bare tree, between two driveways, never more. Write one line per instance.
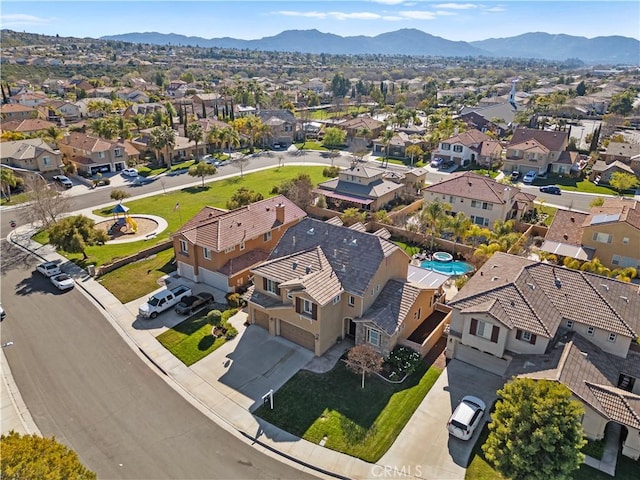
(362, 423)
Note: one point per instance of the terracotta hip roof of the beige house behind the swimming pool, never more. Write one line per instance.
(473, 186)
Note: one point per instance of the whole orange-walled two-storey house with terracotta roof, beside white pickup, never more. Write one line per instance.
(219, 247)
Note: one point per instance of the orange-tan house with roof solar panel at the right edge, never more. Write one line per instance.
(610, 232)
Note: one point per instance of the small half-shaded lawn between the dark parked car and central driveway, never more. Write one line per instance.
(191, 340)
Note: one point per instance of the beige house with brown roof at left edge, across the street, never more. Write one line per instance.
(31, 154)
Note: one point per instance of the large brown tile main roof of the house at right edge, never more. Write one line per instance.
(536, 296)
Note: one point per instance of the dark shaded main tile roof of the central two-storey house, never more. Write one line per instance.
(354, 256)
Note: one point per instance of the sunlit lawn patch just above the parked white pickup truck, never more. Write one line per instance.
(140, 278)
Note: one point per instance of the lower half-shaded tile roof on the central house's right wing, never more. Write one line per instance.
(390, 309)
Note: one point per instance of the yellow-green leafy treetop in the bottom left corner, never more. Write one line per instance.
(39, 458)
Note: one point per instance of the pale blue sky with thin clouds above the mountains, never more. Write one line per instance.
(452, 20)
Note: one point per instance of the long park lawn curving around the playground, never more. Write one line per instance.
(191, 201)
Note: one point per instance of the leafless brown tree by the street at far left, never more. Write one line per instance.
(46, 204)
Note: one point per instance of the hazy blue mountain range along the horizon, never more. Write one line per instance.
(611, 50)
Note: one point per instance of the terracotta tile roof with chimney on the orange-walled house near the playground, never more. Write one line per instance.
(219, 231)
